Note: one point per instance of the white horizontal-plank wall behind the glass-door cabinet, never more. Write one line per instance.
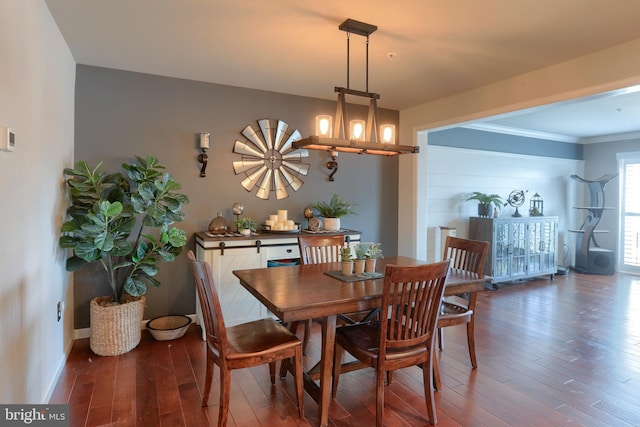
(456, 172)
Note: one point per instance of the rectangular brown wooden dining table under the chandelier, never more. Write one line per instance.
(301, 292)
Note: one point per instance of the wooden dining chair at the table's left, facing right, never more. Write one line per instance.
(241, 346)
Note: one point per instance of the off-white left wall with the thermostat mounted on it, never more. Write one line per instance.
(36, 99)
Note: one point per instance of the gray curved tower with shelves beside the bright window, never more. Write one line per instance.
(590, 257)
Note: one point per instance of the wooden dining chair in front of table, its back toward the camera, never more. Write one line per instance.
(405, 334)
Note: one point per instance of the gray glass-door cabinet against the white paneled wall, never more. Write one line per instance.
(521, 247)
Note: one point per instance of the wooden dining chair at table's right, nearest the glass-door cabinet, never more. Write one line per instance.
(468, 255)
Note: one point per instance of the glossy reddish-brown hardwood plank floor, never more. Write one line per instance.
(563, 352)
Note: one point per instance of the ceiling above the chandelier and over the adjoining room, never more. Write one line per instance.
(423, 50)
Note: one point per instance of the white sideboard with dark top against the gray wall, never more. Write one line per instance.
(234, 252)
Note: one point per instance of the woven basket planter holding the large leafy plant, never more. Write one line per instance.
(115, 328)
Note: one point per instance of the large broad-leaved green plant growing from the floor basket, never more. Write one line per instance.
(123, 222)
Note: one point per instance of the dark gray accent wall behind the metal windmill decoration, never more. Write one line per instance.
(120, 114)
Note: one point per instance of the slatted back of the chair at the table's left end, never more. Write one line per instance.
(210, 306)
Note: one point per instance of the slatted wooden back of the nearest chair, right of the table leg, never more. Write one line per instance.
(413, 294)
